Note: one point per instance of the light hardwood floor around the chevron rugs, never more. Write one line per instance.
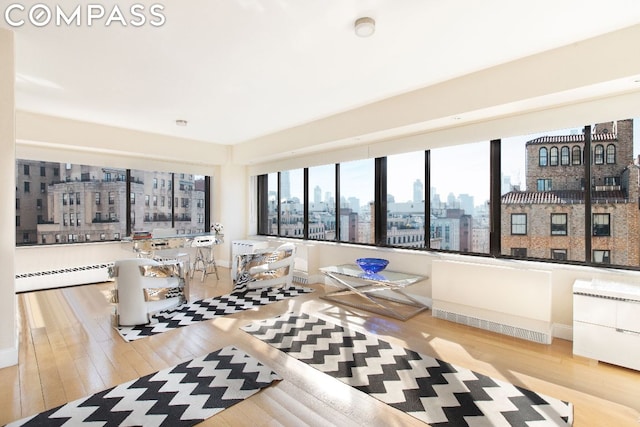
(68, 349)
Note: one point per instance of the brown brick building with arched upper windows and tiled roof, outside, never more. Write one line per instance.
(548, 220)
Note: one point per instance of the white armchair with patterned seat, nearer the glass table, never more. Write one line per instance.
(268, 268)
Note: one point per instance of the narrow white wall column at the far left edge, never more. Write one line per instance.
(8, 323)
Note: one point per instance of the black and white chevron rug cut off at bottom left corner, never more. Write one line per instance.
(183, 395)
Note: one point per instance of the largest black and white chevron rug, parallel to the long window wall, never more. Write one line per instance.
(433, 391)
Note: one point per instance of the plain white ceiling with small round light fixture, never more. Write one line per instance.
(237, 70)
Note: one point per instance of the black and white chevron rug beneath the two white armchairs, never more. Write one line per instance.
(187, 314)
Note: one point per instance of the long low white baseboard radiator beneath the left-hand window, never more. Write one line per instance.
(59, 278)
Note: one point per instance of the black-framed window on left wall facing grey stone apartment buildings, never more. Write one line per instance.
(71, 207)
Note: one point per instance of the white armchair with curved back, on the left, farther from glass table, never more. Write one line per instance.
(145, 286)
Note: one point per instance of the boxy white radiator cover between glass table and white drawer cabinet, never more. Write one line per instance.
(506, 300)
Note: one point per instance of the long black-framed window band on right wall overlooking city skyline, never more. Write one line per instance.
(579, 207)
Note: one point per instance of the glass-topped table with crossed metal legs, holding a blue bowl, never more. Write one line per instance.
(382, 293)
